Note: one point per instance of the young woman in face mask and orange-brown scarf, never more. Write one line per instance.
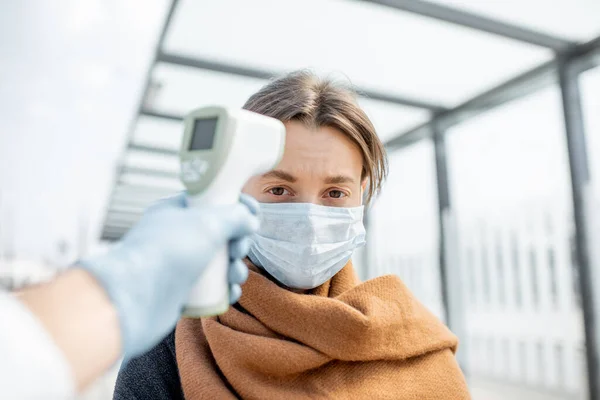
(305, 326)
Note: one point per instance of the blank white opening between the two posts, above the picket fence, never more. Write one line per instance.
(522, 146)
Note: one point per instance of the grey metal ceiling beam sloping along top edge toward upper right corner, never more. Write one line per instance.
(478, 22)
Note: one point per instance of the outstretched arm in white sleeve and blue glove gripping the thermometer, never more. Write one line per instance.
(121, 303)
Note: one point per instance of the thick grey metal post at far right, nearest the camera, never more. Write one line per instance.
(584, 220)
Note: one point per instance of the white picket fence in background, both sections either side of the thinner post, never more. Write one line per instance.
(524, 321)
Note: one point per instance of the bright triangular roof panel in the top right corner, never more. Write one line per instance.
(578, 20)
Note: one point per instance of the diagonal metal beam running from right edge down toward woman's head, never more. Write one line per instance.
(517, 87)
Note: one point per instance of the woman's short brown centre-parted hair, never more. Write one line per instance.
(302, 96)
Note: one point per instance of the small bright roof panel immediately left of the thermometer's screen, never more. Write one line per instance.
(158, 132)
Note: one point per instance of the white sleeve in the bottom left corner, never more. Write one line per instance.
(31, 365)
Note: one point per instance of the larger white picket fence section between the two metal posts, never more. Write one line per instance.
(524, 318)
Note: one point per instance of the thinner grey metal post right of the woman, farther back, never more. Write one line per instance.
(450, 273)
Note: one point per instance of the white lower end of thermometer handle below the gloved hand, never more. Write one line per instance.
(210, 295)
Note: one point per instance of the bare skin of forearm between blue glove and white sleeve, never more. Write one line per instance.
(75, 310)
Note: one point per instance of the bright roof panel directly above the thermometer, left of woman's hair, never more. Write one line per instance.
(182, 89)
